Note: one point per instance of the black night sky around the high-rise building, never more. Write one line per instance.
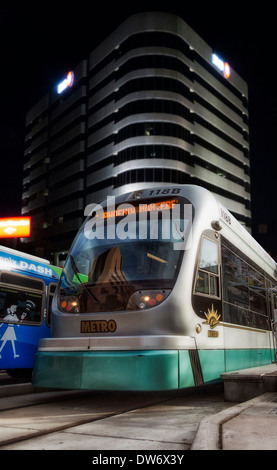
(40, 42)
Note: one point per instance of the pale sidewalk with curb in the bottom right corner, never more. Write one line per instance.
(251, 425)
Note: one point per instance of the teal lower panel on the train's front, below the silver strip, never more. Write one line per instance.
(124, 370)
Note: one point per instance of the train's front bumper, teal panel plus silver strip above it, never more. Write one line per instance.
(72, 363)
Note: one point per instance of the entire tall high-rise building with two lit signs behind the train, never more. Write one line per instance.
(152, 103)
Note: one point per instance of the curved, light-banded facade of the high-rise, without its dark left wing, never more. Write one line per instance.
(160, 110)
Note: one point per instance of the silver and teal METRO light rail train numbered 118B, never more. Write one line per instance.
(162, 289)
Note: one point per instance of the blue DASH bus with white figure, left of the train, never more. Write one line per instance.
(27, 286)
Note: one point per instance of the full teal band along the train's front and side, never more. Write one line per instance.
(138, 370)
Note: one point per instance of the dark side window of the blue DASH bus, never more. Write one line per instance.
(18, 302)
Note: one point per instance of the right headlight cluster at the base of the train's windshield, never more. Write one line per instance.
(144, 299)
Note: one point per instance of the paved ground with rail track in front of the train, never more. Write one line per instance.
(111, 421)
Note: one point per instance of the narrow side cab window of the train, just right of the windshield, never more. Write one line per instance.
(207, 278)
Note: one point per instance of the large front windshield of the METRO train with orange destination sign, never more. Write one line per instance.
(126, 258)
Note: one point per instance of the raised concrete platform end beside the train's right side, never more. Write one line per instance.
(246, 384)
